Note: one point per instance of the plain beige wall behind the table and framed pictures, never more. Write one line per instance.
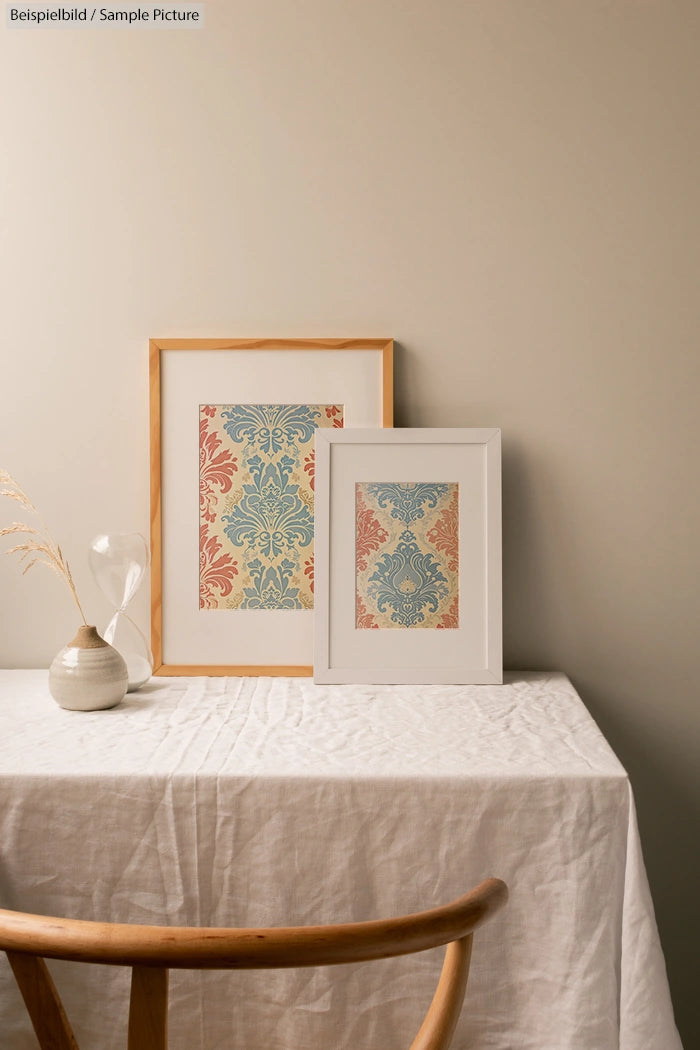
(510, 190)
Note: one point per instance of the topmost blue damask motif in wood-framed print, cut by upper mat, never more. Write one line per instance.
(271, 427)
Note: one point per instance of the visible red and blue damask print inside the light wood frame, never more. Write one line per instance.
(257, 505)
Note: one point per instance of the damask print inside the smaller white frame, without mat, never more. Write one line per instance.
(407, 554)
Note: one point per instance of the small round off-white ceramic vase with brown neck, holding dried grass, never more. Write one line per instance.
(89, 675)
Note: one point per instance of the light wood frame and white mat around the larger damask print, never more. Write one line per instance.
(185, 376)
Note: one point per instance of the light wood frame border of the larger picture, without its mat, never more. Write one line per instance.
(156, 347)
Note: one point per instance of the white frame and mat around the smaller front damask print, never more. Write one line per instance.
(464, 461)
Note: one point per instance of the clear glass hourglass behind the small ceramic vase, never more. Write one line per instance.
(119, 562)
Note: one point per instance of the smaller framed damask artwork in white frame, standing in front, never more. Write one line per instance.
(409, 557)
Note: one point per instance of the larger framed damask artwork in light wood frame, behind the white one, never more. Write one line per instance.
(234, 492)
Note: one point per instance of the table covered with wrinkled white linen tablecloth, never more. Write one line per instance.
(271, 802)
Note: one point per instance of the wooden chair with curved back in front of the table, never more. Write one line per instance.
(153, 951)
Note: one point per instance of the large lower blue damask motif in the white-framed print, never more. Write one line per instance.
(408, 582)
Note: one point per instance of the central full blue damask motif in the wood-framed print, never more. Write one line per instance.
(271, 517)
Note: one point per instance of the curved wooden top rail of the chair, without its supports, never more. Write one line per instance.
(187, 948)
